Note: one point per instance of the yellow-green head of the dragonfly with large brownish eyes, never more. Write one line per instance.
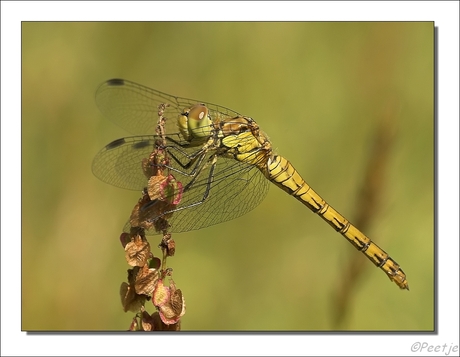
(195, 124)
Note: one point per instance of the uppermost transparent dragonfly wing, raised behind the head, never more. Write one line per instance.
(135, 107)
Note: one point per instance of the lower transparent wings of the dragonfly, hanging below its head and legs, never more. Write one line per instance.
(220, 192)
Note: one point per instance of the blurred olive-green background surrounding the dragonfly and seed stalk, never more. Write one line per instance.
(319, 90)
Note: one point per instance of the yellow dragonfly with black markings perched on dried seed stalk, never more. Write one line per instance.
(223, 161)
